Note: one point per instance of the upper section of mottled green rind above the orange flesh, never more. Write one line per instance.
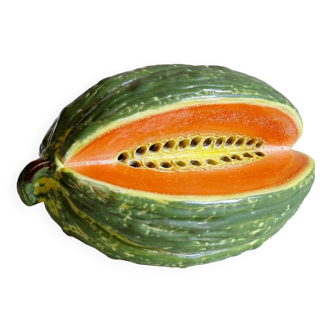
(152, 87)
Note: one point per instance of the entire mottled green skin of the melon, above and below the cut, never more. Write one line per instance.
(142, 230)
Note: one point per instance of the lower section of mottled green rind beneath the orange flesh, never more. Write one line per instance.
(170, 233)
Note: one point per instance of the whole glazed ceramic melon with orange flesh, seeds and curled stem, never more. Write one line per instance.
(172, 165)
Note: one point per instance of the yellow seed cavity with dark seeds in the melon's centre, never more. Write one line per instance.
(194, 152)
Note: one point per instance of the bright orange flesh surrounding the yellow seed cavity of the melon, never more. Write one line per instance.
(277, 129)
